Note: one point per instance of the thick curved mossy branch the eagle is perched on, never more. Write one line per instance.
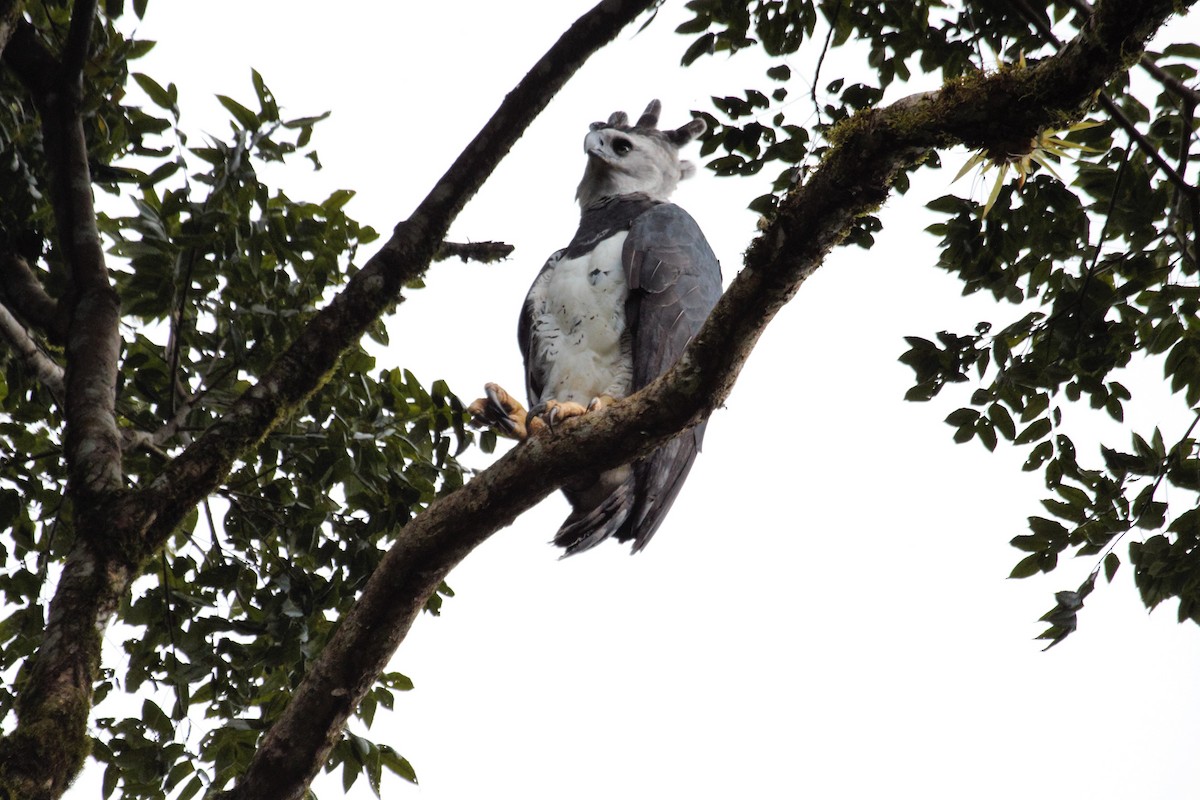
(856, 177)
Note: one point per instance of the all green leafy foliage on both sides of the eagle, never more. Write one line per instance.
(218, 272)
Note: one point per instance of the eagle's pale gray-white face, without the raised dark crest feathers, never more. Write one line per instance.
(622, 163)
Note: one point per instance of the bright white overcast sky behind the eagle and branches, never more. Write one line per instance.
(826, 611)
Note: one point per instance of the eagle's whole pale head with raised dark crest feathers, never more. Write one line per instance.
(625, 159)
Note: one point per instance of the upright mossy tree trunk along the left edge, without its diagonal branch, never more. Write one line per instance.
(50, 744)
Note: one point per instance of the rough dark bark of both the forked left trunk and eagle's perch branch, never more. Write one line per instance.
(119, 530)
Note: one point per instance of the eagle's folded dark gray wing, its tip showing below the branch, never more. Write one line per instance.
(675, 280)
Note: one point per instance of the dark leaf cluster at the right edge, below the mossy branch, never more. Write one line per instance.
(1101, 266)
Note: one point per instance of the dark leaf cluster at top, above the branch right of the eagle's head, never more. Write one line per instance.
(772, 124)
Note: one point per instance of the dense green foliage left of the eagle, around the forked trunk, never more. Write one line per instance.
(217, 273)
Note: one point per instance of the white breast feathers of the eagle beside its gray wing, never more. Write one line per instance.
(579, 326)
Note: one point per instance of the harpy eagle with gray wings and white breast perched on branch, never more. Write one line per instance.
(611, 312)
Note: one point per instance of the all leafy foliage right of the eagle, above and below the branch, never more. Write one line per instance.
(1100, 264)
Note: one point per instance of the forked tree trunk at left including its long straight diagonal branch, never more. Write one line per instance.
(117, 538)
